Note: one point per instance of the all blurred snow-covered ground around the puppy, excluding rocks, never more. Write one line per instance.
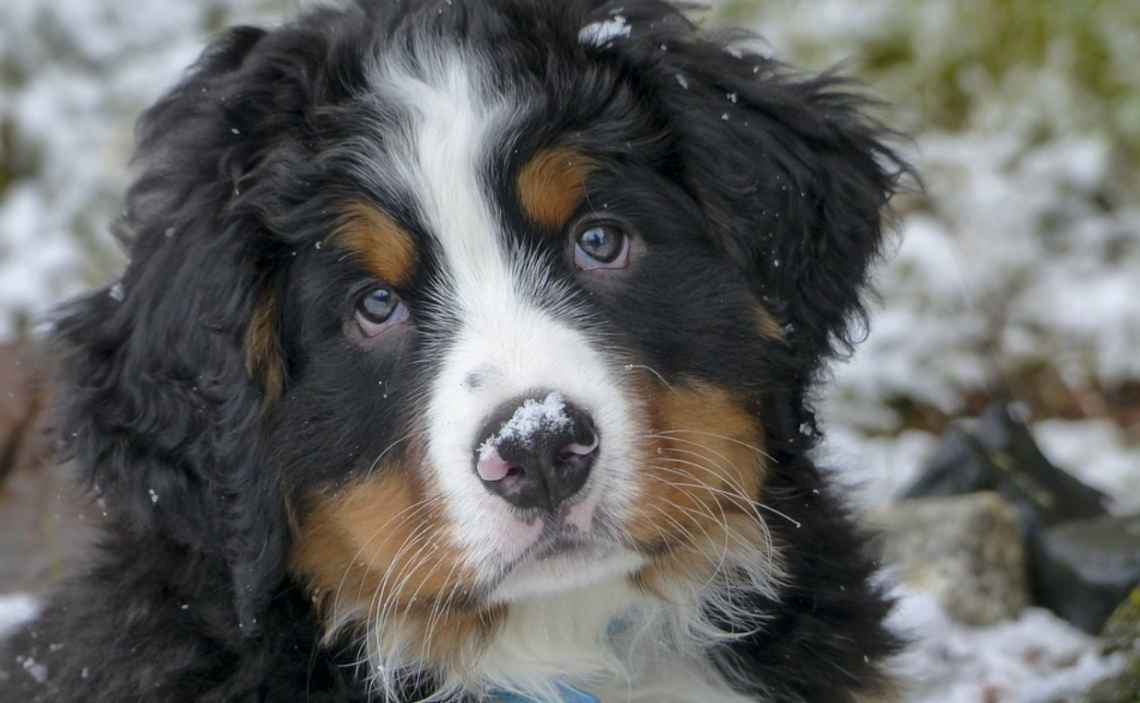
(1024, 252)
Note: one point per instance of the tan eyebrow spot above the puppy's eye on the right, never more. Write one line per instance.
(552, 185)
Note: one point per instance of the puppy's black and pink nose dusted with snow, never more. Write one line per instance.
(538, 452)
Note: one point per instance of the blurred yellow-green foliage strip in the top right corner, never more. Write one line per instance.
(959, 64)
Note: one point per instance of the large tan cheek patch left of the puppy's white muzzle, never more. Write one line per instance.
(382, 544)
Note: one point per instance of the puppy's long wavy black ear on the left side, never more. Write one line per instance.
(162, 404)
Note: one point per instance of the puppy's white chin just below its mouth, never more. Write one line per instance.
(565, 566)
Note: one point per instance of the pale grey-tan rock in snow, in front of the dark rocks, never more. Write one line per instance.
(966, 551)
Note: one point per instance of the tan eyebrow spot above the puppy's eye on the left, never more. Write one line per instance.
(385, 248)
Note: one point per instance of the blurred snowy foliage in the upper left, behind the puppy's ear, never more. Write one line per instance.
(75, 76)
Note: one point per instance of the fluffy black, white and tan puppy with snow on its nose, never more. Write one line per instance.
(466, 354)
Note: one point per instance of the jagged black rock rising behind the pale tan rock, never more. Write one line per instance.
(999, 454)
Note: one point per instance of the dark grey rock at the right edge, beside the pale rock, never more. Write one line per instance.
(1084, 570)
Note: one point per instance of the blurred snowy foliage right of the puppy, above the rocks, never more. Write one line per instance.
(1027, 117)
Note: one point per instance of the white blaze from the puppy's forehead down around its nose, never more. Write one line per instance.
(452, 125)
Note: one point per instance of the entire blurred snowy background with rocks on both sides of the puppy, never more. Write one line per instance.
(991, 421)
